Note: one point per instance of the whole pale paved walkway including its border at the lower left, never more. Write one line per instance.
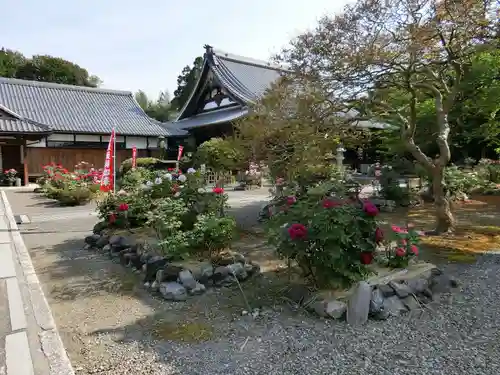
(29, 340)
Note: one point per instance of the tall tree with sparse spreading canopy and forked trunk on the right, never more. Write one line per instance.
(420, 47)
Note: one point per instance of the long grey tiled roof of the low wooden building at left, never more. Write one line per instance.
(76, 109)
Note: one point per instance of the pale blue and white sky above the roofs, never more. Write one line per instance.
(134, 45)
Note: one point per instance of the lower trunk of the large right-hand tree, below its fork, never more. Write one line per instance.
(445, 221)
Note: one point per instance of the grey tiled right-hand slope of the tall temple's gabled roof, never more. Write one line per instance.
(246, 78)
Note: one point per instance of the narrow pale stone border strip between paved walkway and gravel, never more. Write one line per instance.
(51, 344)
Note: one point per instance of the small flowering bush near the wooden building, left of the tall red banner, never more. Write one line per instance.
(70, 188)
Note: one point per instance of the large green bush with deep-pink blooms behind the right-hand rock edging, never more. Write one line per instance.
(329, 237)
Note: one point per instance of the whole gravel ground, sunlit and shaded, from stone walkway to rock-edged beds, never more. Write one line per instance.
(107, 326)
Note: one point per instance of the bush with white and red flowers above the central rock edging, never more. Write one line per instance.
(184, 215)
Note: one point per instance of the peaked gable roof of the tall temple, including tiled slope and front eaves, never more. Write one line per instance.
(244, 78)
